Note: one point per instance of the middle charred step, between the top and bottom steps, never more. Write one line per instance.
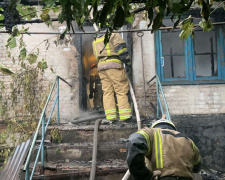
(83, 151)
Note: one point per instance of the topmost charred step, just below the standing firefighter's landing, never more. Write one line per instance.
(72, 133)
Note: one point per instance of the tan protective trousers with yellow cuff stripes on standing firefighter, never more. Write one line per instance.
(115, 81)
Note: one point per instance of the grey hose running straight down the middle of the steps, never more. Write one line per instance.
(94, 154)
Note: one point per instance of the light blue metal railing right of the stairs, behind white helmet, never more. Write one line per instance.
(161, 100)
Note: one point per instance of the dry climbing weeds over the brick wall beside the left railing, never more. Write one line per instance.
(21, 104)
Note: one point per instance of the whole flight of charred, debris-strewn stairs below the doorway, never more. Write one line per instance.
(71, 159)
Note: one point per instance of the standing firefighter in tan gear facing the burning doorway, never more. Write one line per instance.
(113, 76)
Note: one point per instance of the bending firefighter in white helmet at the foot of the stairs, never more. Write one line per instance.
(170, 152)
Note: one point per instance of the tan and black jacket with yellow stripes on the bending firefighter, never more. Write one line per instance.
(168, 151)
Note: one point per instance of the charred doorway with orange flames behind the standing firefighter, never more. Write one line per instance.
(90, 87)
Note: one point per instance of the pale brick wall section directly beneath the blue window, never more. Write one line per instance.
(195, 99)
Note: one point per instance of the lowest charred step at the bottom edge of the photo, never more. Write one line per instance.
(110, 169)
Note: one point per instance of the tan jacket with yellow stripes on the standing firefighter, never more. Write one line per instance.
(112, 54)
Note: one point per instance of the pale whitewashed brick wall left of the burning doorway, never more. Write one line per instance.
(61, 59)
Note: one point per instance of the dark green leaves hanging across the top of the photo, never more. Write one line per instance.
(113, 14)
